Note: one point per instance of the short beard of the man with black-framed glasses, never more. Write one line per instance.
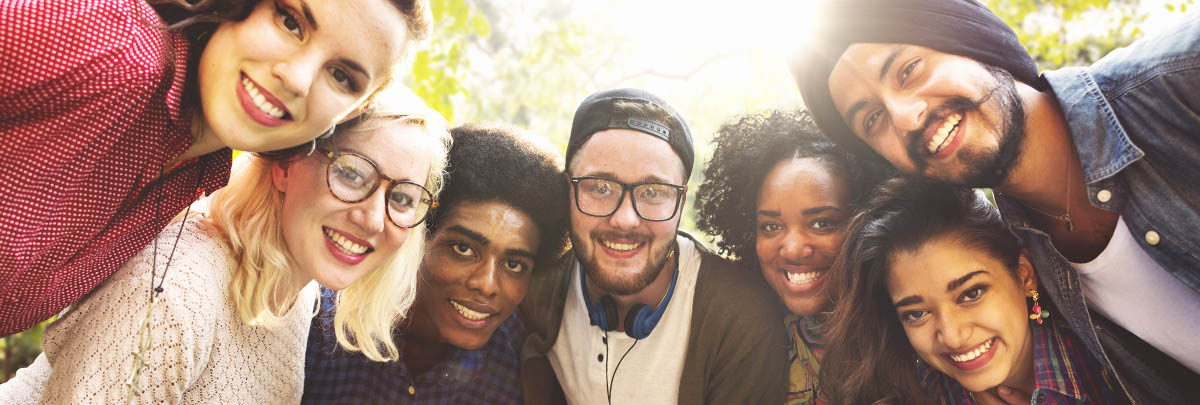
(615, 285)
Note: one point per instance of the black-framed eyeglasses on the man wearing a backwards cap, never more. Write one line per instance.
(601, 197)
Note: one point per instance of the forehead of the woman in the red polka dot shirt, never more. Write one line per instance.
(371, 33)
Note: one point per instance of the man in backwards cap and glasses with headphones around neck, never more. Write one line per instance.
(641, 312)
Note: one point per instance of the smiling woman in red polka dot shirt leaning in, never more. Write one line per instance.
(110, 125)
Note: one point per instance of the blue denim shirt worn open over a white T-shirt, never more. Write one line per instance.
(1135, 118)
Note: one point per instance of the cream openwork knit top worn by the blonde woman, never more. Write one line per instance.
(201, 353)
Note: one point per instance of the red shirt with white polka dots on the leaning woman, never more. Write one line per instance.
(91, 112)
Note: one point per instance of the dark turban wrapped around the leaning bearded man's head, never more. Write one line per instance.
(963, 28)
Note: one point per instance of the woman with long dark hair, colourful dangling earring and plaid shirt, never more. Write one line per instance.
(939, 304)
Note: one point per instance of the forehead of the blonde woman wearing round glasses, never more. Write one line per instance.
(401, 150)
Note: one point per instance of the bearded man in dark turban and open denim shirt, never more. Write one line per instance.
(1095, 168)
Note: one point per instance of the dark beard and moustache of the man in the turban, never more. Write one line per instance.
(986, 168)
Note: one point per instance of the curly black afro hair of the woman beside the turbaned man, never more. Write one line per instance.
(746, 149)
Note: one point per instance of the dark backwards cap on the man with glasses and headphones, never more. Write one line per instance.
(597, 113)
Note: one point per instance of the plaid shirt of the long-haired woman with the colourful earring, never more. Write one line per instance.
(1065, 373)
